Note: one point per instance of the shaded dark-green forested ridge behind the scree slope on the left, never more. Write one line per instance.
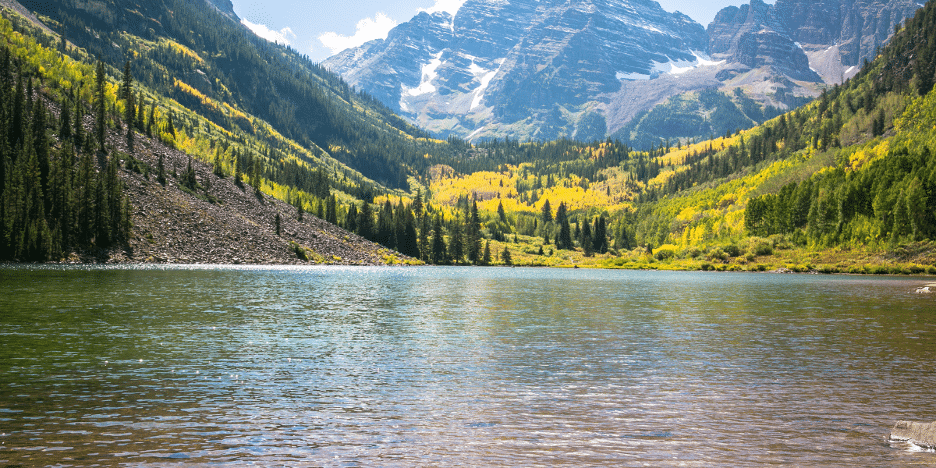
(190, 52)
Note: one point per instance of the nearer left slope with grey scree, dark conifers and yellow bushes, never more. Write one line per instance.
(84, 178)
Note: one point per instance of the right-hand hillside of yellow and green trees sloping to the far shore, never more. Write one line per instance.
(844, 183)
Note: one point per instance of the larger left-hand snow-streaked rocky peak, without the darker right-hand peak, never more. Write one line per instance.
(521, 68)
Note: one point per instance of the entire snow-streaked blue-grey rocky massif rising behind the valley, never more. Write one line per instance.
(544, 69)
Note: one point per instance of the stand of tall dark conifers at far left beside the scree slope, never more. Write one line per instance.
(59, 188)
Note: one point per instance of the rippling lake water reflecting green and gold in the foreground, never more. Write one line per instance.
(436, 366)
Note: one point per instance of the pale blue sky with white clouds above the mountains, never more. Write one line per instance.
(321, 28)
